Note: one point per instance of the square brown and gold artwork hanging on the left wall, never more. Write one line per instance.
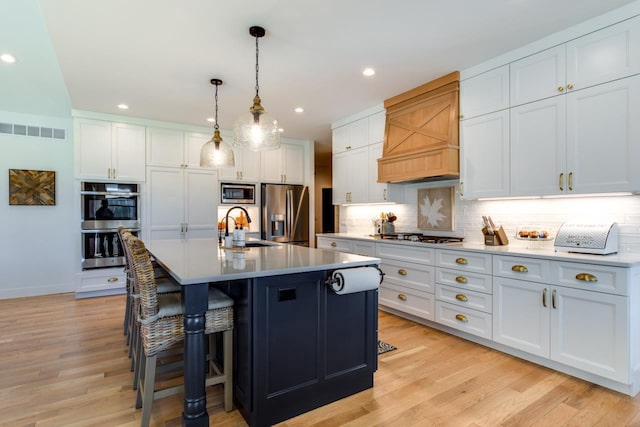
(32, 188)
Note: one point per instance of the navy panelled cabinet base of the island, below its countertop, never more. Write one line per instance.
(298, 345)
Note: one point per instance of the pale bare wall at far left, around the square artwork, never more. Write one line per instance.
(40, 250)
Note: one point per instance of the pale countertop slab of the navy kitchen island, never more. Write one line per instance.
(202, 260)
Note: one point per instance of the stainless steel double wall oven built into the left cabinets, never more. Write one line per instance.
(105, 207)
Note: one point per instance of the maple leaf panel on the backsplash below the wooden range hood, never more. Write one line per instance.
(436, 208)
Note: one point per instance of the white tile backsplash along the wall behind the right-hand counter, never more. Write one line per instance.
(549, 213)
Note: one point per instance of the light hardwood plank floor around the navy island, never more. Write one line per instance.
(63, 362)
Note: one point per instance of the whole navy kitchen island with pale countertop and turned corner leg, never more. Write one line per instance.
(297, 344)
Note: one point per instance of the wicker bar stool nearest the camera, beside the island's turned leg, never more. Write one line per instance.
(162, 327)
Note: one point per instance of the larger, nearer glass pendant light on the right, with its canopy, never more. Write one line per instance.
(256, 130)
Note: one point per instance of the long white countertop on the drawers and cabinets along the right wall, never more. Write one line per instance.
(616, 260)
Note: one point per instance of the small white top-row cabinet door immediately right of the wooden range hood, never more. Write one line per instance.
(484, 93)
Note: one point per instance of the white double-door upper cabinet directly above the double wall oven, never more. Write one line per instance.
(106, 150)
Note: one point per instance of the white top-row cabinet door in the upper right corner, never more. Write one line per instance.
(605, 55)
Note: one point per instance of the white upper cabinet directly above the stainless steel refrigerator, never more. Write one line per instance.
(285, 165)
